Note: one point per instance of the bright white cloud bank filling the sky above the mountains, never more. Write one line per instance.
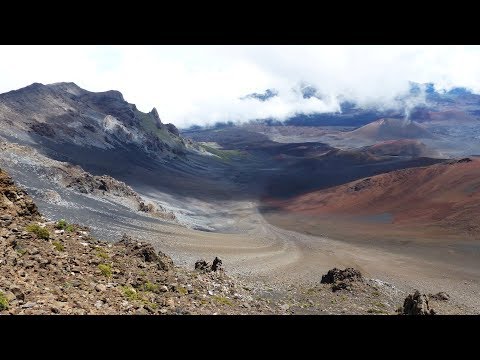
(203, 84)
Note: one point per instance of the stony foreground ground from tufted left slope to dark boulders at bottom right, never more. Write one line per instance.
(52, 267)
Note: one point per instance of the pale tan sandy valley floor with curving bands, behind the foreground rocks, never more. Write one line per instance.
(260, 251)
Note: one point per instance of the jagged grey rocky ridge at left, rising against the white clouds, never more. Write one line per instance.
(66, 113)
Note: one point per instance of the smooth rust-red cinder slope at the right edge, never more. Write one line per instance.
(445, 195)
